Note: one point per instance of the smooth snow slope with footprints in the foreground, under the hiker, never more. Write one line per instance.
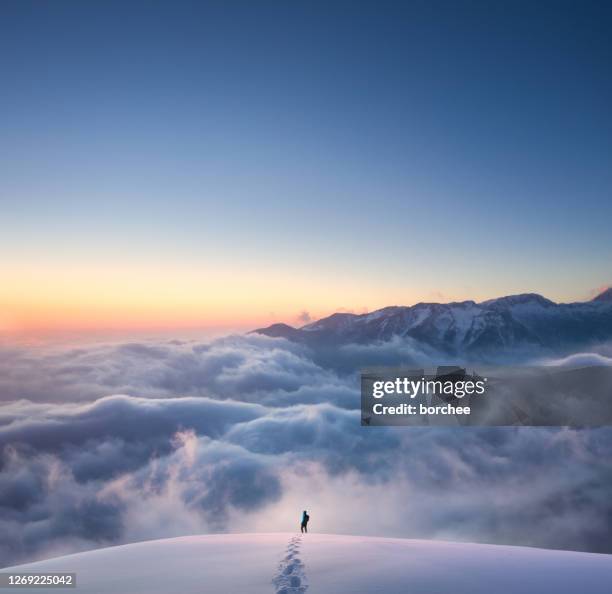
(327, 564)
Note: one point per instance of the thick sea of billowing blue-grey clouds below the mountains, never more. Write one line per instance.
(109, 443)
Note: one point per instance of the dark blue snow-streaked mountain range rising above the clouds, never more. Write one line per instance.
(527, 321)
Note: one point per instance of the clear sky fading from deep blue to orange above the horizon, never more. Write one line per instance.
(187, 164)
